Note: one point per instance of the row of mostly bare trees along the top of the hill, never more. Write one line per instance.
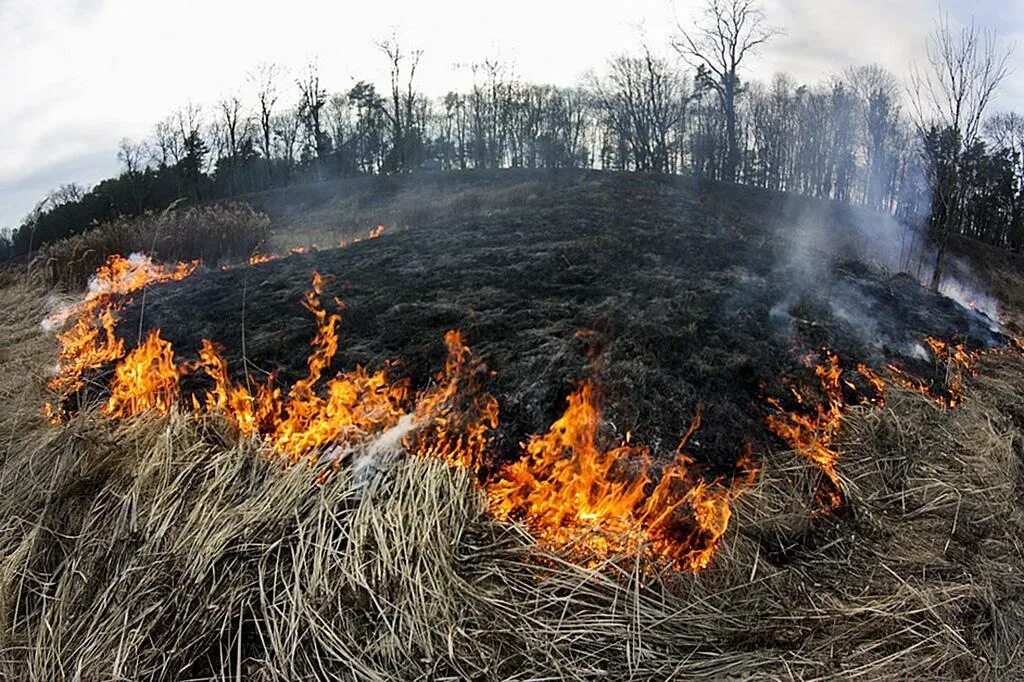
(857, 139)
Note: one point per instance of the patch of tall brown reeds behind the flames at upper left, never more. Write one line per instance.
(211, 234)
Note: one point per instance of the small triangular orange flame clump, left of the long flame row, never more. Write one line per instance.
(147, 379)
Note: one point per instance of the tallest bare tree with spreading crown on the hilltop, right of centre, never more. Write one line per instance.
(716, 47)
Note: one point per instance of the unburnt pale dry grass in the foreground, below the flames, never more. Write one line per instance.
(163, 549)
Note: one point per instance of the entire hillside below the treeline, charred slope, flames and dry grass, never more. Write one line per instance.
(837, 452)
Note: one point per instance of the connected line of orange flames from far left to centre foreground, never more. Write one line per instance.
(574, 493)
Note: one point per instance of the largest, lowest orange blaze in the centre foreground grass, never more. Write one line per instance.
(573, 492)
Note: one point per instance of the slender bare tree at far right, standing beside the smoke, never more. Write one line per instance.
(965, 69)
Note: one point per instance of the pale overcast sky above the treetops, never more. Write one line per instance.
(79, 75)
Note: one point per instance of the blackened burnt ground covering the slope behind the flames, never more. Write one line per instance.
(695, 293)
